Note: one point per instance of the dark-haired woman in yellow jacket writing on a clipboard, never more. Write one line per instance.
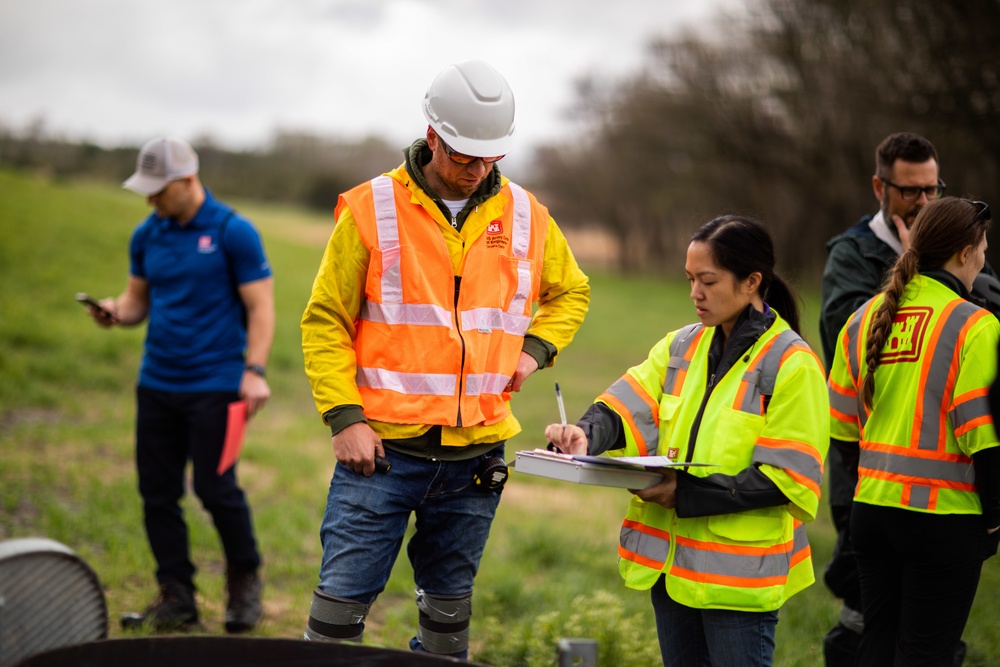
(720, 548)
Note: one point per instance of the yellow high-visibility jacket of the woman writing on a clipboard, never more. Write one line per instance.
(767, 411)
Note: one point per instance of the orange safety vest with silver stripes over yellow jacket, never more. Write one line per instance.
(432, 348)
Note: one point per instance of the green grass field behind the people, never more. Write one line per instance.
(66, 469)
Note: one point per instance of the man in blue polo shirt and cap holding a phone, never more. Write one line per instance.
(199, 275)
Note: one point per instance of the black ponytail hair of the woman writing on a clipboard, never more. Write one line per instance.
(742, 246)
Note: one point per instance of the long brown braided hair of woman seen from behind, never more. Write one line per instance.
(942, 228)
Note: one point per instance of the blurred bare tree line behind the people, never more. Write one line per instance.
(773, 111)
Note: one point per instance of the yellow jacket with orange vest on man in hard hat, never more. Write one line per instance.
(387, 329)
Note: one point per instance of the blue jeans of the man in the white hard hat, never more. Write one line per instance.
(366, 519)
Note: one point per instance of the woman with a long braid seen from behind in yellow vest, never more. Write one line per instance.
(909, 385)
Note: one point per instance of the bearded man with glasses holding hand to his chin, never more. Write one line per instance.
(858, 260)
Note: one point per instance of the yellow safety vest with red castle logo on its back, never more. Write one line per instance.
(930, 412)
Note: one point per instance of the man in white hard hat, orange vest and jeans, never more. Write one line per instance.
(443, 287)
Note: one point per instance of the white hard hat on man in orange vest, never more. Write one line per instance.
(471, 107)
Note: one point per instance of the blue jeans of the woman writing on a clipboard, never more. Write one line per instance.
(716, 637)
